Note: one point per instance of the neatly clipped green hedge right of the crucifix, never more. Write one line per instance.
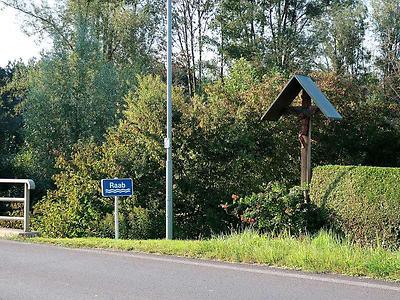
(361, 202)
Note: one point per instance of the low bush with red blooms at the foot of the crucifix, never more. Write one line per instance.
(277, 209)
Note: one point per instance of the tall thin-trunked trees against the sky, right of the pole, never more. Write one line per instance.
(286, 35)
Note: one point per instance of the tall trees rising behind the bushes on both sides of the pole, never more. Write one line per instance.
(103, 45)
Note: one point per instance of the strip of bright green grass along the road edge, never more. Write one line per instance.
(323, 253)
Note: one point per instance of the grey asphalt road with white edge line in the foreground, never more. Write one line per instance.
(30, 271)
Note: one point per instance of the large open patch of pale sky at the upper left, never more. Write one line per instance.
(14, 43)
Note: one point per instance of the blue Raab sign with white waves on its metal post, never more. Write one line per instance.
(116, 188)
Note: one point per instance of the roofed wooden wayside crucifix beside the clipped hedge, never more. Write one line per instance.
(309, 93)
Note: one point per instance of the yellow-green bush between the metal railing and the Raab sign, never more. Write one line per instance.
(76, 207)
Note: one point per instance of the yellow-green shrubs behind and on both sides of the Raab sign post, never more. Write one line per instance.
(76, 208)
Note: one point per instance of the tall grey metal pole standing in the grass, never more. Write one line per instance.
(168, 142)
